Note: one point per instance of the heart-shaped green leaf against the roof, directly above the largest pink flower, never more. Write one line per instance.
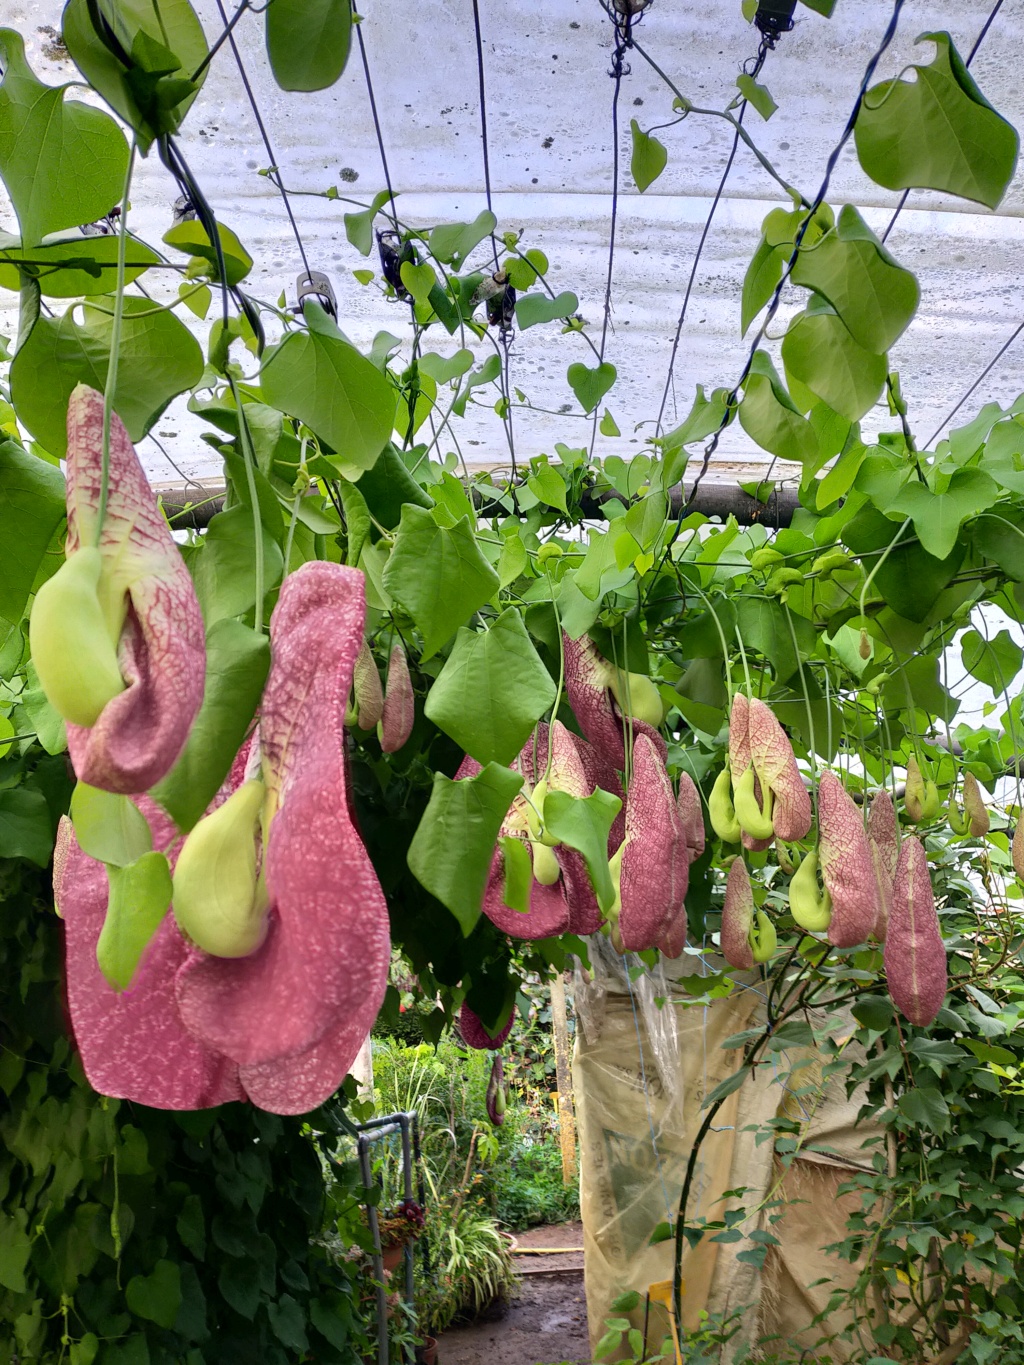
(320, 379)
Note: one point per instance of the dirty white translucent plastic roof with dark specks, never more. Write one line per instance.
(551, 151)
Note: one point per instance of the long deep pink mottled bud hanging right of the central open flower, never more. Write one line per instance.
(656, 858)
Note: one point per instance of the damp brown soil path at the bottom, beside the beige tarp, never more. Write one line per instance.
(547, 1325)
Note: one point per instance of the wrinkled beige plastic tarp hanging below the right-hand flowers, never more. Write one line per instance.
(641, 1074)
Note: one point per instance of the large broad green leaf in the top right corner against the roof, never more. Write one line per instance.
(937, 132)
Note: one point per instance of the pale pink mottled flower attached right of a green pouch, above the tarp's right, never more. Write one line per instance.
(846, 865)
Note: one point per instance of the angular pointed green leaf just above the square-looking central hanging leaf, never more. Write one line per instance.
(439, 575)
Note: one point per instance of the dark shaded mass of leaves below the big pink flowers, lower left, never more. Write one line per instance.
(134, 1237)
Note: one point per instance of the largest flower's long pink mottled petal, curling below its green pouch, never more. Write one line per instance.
(294, 1014)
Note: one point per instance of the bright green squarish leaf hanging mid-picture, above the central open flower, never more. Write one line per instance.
(492, 690)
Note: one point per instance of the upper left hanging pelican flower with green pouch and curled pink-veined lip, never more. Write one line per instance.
(117, 634)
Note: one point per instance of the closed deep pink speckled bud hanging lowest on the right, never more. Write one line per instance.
(915, 958)
